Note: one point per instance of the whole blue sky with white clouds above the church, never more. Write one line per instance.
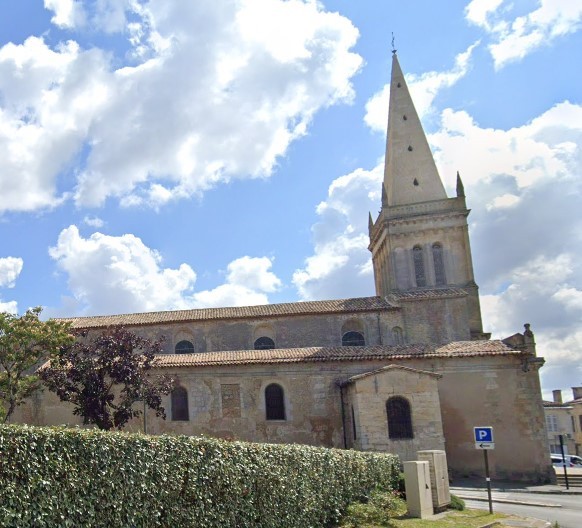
(165, 154)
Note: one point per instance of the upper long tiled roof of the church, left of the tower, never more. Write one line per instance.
(358, 304)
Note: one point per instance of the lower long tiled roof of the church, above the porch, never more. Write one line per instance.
(328, 354)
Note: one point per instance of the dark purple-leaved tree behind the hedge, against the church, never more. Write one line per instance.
(104, 375)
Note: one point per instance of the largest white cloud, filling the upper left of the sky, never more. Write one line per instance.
(219, 91)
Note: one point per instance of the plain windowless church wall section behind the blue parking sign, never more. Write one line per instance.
(497, 392)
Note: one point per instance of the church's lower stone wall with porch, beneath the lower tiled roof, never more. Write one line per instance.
(474, 391)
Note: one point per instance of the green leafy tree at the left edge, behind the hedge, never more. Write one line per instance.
(24, 342)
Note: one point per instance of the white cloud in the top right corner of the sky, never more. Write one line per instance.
(514, 38)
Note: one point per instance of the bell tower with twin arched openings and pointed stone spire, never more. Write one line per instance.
(420, 240)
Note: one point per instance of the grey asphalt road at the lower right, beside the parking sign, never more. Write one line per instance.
(569, 515)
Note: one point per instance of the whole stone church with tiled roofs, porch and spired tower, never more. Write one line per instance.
(406, 370)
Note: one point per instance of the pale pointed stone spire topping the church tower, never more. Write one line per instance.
(410, 173)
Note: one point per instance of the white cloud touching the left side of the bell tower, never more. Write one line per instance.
(341, 263)
